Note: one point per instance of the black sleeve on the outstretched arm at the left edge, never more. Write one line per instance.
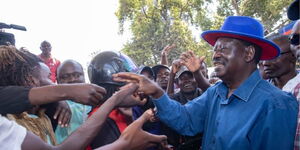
(14, 99)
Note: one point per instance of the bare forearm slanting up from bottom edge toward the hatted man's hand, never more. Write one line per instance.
(86, 133)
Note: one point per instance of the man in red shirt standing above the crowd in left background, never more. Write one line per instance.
(47, 58)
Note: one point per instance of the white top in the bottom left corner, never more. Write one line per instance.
(12, 135)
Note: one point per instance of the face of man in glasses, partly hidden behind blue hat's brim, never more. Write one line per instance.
(280, 65)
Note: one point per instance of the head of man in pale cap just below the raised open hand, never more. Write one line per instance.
(186, 81)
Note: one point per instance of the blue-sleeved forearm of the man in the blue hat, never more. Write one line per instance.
(181, 117)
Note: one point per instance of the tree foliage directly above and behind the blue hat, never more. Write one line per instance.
(272, 13)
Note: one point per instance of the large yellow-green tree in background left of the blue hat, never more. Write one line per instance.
(157, 23)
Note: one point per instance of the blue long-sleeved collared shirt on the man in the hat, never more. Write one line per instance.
(256, 116)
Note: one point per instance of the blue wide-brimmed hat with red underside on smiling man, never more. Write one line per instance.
(247, 29)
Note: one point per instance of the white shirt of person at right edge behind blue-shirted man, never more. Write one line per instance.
(293, 86)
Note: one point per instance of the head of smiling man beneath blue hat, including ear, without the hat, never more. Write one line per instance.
(233, 55)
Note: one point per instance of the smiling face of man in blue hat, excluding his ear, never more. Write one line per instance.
(227, 57)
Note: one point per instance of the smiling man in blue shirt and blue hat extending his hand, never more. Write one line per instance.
(241, 112)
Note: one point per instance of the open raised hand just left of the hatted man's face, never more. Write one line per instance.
(191, 61)
